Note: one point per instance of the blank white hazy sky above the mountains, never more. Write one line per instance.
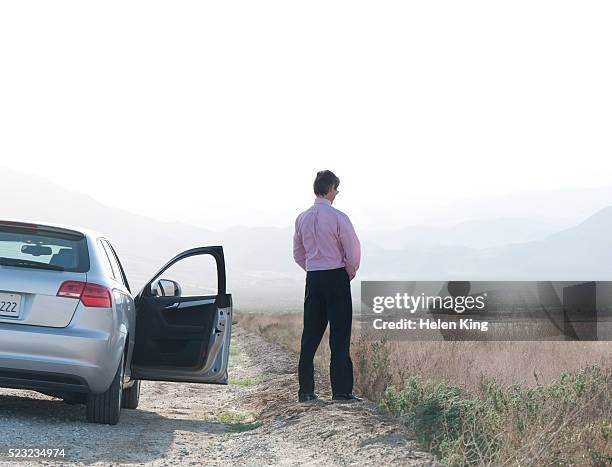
(220, 113)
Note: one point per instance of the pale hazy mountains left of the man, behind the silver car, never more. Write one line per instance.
(258, 259)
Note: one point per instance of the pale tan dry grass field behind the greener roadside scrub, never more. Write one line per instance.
(454, 362)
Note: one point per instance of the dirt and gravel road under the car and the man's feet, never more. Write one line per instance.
(253, 421)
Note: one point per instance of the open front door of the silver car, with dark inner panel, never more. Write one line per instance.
(183, 338)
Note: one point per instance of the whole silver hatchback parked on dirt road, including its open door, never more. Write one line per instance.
(70, 326)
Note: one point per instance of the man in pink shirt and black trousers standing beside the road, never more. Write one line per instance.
(326, 247)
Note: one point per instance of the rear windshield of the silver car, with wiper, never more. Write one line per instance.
(39, 249)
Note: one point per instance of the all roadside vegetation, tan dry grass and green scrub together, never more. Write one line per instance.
(482, 403)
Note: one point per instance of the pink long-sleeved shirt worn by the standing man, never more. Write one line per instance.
(325, 239)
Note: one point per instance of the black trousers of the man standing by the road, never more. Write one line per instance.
(327, 299)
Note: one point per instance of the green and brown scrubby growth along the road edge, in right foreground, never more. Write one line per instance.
(567, 422)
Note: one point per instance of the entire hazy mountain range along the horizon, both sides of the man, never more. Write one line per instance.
(261, 271)
